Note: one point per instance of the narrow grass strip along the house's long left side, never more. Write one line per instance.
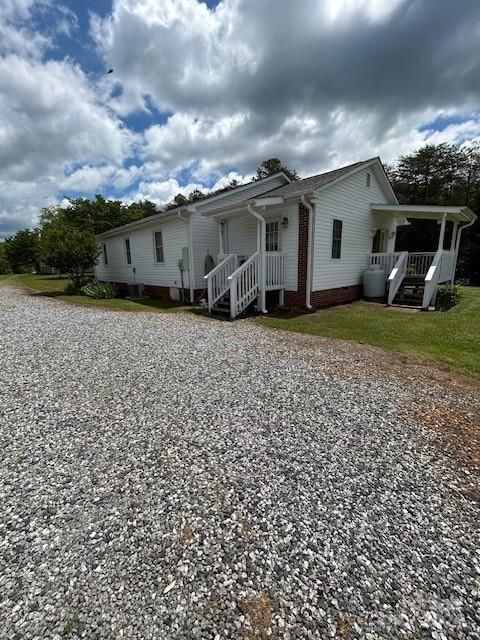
(54, 285)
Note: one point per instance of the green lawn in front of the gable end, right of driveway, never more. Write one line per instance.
(451, 337)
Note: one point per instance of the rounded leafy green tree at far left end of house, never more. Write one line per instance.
(68, 249)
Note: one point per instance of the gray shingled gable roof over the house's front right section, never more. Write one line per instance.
(322, 180)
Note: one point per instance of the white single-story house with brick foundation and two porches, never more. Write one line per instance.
(302, 244)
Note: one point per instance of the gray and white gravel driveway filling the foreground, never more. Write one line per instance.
(165, 476)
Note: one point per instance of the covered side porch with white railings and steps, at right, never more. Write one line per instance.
(420, 273)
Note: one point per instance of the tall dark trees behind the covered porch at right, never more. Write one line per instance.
(440, 174)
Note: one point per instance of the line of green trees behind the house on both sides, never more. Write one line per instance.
(434, 174)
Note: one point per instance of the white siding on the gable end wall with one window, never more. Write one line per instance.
(348, 201)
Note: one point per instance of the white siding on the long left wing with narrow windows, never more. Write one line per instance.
(148, 271)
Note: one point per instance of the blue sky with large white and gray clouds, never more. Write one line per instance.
(204, 92)
